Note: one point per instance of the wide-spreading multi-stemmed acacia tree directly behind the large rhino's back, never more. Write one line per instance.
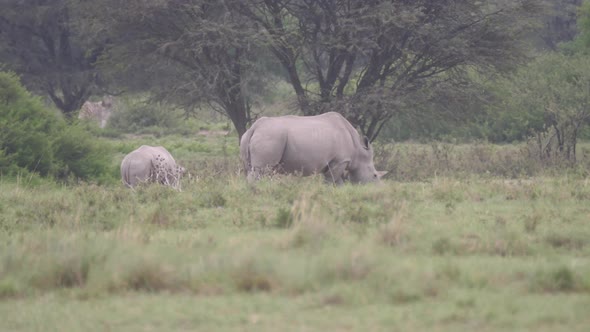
(373, 59)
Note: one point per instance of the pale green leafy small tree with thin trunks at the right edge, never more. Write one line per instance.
(552, 93)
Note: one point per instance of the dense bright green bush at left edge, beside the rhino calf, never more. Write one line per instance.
(35, 139)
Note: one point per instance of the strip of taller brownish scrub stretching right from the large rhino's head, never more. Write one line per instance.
(415, 162)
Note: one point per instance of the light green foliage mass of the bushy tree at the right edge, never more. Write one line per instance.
(547, 99)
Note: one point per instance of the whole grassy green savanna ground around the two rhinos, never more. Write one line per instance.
(457, 238)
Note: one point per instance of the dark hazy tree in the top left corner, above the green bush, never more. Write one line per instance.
(39, 41)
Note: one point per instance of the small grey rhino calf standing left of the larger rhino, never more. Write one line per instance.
(150, 164)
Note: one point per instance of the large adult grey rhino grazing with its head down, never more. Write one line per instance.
(306, 145)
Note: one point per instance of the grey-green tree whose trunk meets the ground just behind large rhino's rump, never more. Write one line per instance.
(186, 52)
